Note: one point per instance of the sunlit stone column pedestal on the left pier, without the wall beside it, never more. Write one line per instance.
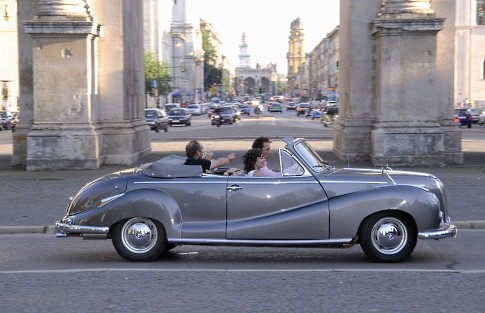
(64, 38)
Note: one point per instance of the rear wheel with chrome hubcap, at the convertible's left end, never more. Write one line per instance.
(139, 239)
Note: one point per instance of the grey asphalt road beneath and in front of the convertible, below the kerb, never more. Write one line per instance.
(39, 273)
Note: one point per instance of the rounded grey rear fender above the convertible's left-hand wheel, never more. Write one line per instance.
(149, 203)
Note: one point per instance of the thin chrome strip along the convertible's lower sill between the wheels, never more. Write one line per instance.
(257, 242)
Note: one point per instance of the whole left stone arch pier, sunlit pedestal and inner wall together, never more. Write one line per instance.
(87, 91)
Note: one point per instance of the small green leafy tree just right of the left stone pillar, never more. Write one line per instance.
(157, 76)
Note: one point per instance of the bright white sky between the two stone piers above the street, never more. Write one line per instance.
(266, 24)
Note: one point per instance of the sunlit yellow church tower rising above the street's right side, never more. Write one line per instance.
(296, 53)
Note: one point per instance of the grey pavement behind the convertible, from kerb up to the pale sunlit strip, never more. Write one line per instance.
(31, 202)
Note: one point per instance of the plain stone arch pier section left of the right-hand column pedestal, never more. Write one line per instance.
(352, 129)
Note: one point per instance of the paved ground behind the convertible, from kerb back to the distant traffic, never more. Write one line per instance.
(33, 201)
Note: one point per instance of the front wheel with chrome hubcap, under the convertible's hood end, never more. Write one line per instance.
(388, 237)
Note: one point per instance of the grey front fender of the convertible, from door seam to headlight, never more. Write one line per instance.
(347, 212)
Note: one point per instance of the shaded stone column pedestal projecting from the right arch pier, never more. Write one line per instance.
(407, 130)
